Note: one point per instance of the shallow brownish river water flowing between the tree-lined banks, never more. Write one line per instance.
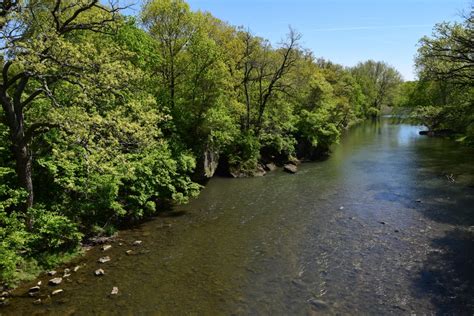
(384, 226)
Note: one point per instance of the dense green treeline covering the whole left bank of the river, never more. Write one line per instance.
(105, 117)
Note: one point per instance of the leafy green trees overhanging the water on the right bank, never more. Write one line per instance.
(443, 97)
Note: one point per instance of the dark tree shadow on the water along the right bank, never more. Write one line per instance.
(447, 273)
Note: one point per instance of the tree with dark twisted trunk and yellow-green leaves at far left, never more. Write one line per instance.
(37, 53)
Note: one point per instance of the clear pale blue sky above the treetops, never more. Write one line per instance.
(343, 31)
